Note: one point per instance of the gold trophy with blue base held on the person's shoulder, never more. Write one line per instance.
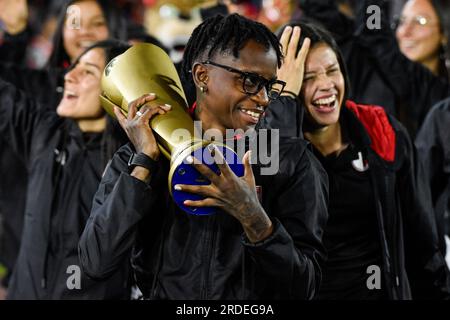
(146, 68)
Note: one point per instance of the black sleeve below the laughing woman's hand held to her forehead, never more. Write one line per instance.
(286, 115)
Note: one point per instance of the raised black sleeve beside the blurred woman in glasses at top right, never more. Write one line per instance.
(412, 83)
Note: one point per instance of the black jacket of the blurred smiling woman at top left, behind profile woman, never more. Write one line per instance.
(41, 86)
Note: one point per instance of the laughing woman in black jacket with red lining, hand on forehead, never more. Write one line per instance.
(380, 212)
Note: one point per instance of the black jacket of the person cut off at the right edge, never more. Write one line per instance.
(433, 146)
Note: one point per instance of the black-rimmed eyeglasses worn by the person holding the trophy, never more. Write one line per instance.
(252, 83)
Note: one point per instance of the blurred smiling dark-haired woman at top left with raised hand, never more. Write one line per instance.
(81, 23)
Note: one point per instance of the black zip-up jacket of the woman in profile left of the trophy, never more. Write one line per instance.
(64, 172)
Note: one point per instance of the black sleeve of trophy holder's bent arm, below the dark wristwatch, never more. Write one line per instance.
(119, 205)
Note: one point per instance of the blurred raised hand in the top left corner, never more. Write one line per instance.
(14, 15)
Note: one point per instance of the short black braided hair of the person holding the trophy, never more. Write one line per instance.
(226, 34)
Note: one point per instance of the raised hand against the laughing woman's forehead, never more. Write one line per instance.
(293, 67)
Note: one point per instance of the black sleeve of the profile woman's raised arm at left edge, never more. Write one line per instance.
(19, 119)
